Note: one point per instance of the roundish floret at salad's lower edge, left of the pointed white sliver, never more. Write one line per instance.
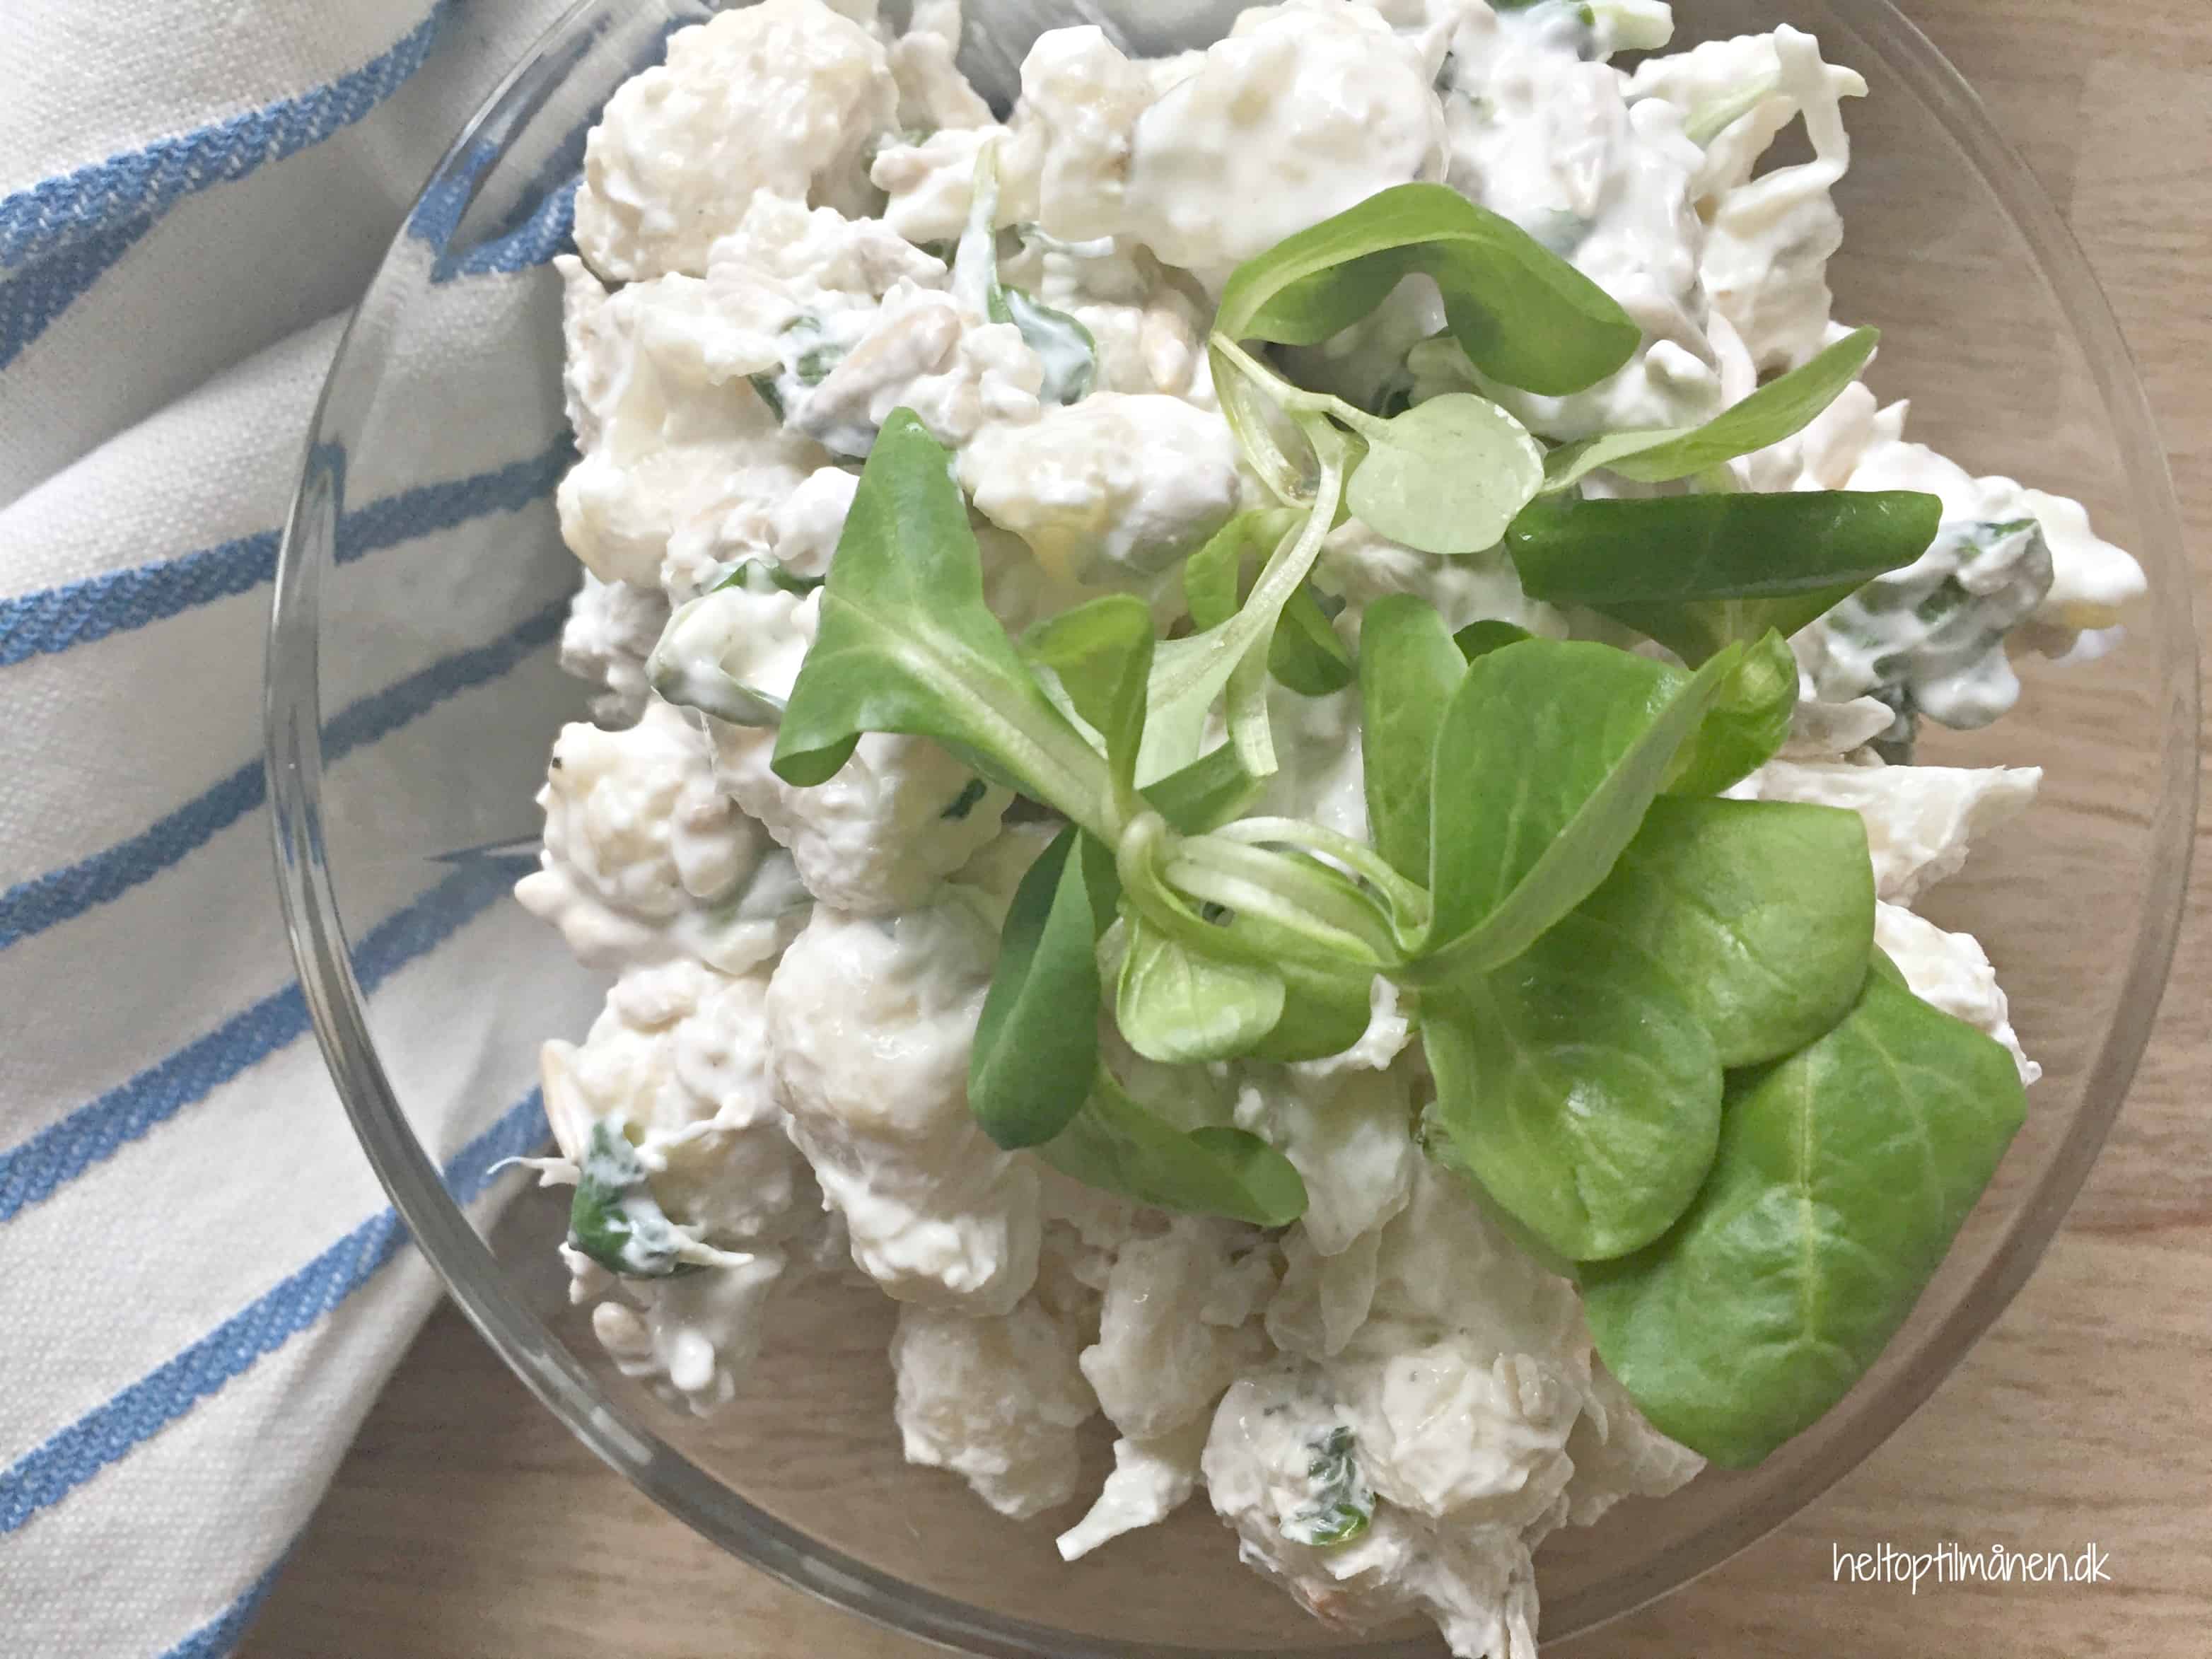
(997, 1401)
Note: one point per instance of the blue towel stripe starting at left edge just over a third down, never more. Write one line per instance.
(79, 614)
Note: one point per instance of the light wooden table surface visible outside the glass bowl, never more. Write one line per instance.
(466, 1525)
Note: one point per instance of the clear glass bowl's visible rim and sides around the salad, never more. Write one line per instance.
(1992, 324)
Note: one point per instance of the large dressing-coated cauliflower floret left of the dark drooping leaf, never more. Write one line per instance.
(873, 1027)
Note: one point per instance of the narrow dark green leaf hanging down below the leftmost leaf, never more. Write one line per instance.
(1039, 1039)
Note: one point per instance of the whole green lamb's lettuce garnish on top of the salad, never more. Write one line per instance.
(1611, 968)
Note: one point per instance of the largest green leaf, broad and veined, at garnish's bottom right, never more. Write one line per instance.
(1844, 1176)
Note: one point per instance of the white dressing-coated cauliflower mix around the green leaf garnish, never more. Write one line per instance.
(1388, 1404)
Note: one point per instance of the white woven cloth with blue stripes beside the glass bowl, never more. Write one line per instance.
(205, 1286)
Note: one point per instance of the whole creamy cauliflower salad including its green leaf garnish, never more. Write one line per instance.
(1253, 744)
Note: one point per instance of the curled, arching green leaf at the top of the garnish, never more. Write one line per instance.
(1521, 313)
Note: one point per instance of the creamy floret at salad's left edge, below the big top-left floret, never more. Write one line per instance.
(674, 439)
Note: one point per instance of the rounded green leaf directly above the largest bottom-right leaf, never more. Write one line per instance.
(1762, 912)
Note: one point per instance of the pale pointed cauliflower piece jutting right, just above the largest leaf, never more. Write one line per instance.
(1921, 820)
